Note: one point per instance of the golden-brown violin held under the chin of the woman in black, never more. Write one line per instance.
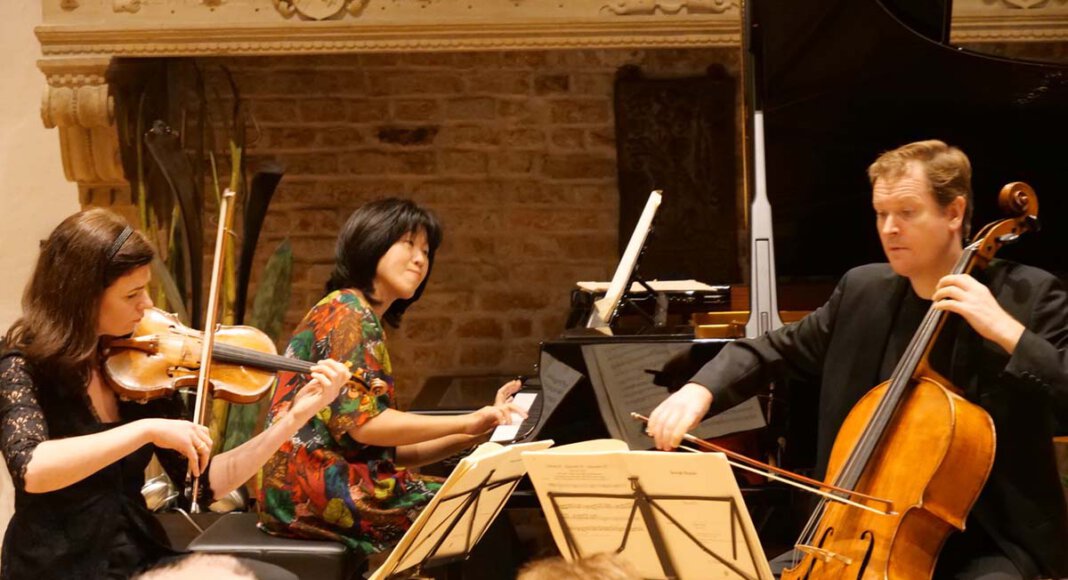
(164, 356)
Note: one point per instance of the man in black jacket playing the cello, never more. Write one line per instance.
(1008, 351)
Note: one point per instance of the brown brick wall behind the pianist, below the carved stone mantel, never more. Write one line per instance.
(514, 151)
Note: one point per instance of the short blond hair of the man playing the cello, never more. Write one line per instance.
(947, 168)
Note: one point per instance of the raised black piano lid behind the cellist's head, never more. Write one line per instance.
(844, 81)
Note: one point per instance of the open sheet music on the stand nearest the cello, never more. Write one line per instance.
(669, 514)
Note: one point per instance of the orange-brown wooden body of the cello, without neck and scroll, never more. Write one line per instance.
(933, 462)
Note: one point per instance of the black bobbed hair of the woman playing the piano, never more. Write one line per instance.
(368, 236)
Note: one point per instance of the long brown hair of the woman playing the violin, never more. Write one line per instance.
(61, 305)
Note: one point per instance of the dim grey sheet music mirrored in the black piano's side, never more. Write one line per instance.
(623, 383)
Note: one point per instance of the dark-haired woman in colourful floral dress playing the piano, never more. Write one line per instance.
(343, 477)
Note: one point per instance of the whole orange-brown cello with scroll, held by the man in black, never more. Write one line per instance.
(914, 441)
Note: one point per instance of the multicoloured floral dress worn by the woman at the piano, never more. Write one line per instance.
(322, 483)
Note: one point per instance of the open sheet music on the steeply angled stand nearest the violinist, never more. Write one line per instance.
(462, 511)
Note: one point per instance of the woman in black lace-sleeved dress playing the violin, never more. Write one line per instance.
(76, 453)
